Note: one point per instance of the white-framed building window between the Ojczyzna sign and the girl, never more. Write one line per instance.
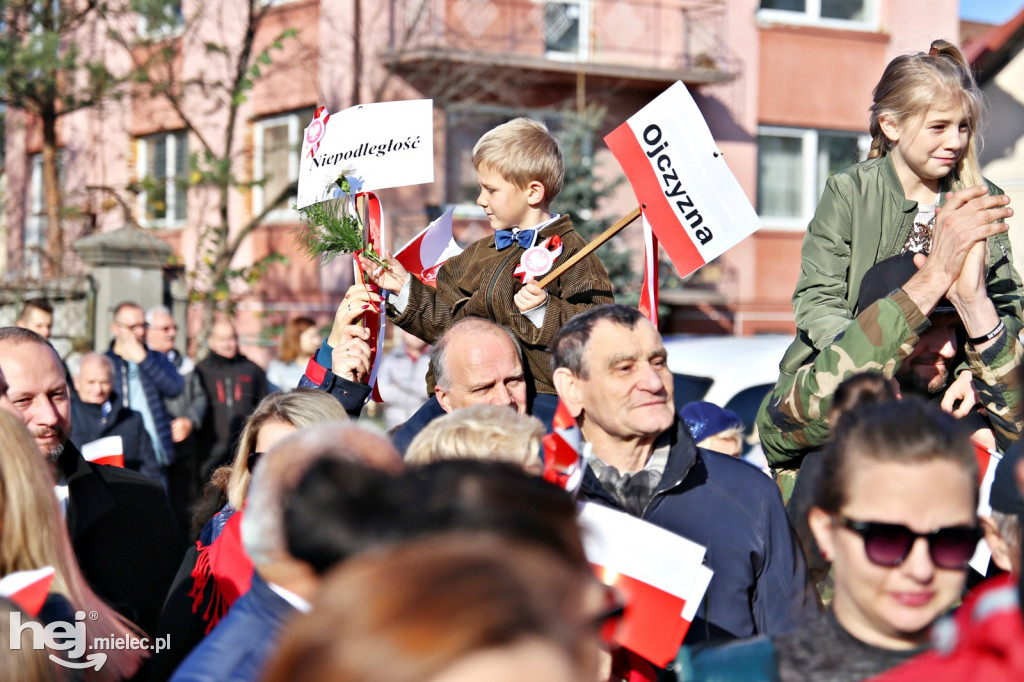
(793, 167)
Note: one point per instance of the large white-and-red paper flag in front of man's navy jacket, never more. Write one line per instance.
(661, 576)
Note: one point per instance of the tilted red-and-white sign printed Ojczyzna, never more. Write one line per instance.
(696, 206)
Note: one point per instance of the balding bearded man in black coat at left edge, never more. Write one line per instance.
(121, 527)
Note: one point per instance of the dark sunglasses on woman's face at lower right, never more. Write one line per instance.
(889, 544)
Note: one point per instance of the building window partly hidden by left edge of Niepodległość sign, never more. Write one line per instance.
(277, 146)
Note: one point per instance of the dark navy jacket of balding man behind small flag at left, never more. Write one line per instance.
(89, 424)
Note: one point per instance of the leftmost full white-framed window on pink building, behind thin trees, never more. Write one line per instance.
(162, 162)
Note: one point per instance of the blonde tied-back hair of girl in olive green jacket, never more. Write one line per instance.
(912, 83)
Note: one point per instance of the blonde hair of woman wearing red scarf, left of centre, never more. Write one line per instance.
(301, 408)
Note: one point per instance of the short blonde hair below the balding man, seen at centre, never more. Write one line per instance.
(481, 433)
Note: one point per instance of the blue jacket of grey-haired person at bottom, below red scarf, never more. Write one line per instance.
(241, 645)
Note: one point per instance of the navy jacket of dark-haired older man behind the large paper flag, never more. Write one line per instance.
(731, 507)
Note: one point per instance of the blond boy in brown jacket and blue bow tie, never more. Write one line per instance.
(520, 170)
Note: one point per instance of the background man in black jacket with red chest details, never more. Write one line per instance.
(235, 386)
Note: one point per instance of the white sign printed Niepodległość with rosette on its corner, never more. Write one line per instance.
(383, 145)
